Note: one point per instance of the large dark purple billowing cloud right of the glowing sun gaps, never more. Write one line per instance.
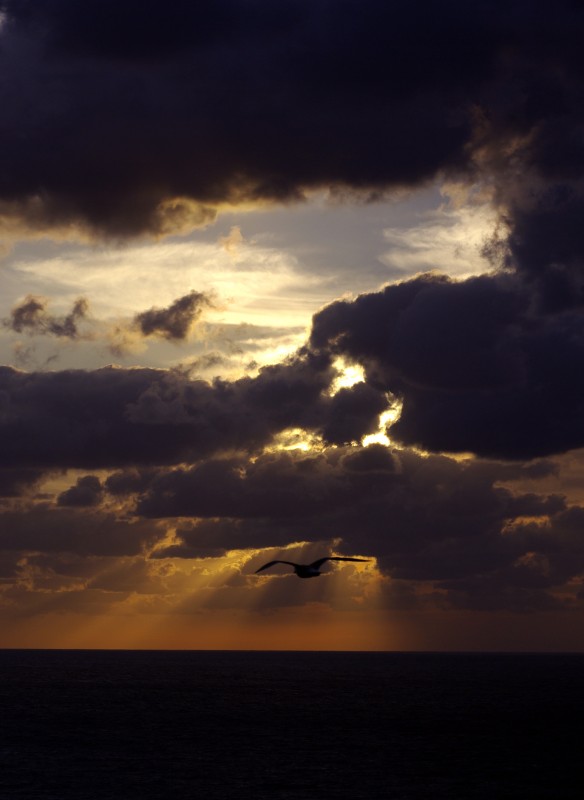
(478, 366)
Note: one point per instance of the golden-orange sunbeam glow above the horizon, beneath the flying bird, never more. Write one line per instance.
(215, 604)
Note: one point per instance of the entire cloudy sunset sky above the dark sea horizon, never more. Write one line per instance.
(287, 280)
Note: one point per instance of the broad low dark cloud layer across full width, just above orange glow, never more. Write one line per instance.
(444, 533)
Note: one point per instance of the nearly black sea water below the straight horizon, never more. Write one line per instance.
(210, 725)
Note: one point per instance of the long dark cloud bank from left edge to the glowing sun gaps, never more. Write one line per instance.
(113, 417)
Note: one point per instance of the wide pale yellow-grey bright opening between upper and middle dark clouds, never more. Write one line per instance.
(267, 271)
